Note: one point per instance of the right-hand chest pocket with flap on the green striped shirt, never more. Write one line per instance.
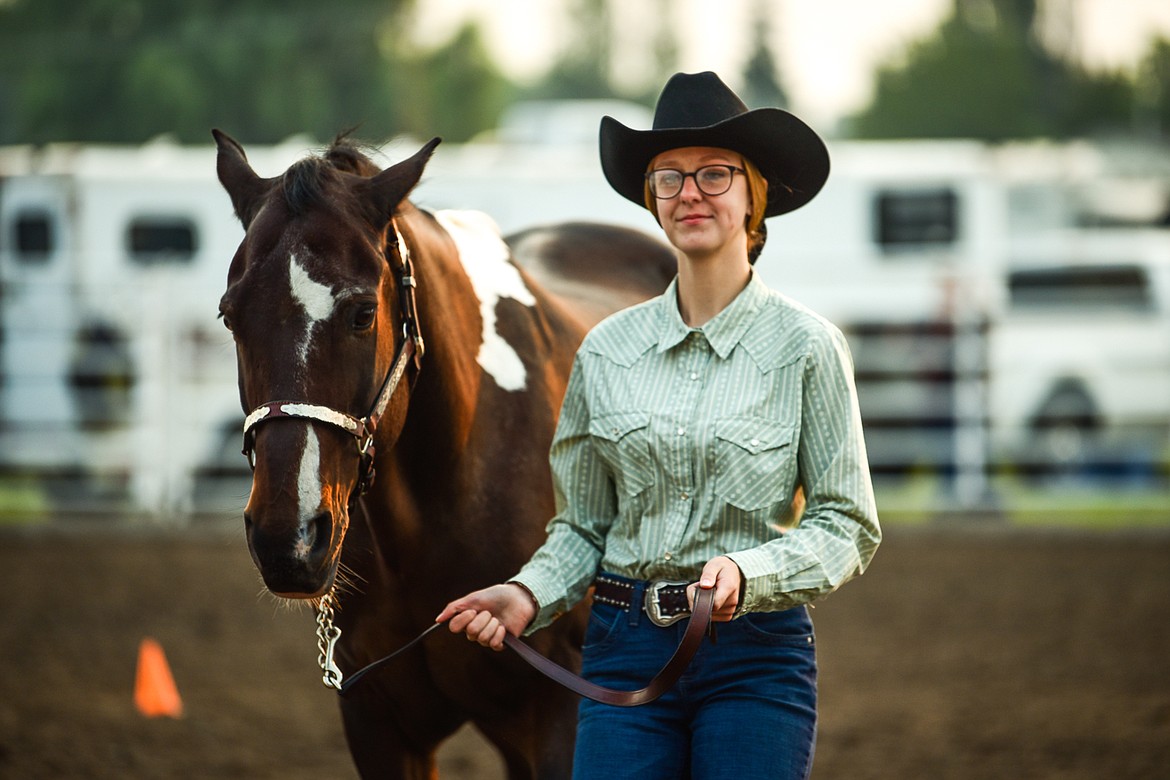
(755, 461)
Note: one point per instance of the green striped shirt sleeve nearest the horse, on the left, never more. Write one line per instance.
(562, 570)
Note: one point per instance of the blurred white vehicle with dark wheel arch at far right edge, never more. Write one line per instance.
(1080, 354)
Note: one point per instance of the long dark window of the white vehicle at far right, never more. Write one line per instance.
(1099, 287)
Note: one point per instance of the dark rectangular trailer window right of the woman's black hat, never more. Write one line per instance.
(919, 218)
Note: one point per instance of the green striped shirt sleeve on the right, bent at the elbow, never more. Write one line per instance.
(839, 531)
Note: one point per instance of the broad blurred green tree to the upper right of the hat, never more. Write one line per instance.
(986, 75)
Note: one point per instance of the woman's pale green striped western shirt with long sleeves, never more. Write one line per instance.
(677, 445)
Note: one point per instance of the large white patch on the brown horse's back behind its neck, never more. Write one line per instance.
(487, 261)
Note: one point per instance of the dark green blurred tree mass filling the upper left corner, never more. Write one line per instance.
(127, 71)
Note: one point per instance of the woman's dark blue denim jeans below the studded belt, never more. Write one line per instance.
(746, 709)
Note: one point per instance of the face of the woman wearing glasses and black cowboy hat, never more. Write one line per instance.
(698, 224)
